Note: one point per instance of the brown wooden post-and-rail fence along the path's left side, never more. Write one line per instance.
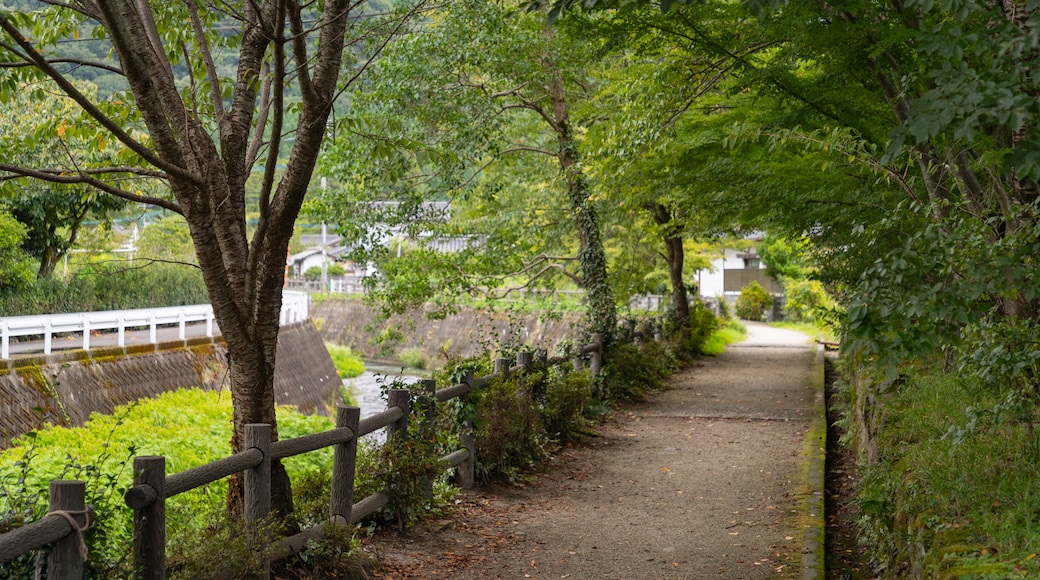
(68, 517)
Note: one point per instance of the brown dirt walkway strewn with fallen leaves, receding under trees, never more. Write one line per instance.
(704, 482)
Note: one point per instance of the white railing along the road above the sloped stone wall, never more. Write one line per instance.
(295, 309)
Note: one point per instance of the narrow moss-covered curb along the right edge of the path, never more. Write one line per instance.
(814, 540)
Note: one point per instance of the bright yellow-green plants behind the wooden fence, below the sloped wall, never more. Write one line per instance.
(190, 428)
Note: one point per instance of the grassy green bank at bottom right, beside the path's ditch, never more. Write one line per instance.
(953, 491)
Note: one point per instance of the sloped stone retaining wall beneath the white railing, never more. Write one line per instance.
(66, 388)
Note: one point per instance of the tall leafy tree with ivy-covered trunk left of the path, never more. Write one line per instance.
(483, 84)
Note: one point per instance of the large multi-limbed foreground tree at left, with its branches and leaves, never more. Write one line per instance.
(203, 136)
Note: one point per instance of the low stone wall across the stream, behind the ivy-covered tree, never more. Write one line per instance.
(351, 323)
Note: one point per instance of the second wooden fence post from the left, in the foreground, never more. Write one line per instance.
(150, 522)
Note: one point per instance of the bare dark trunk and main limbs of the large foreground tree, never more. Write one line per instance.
(244, 277)
